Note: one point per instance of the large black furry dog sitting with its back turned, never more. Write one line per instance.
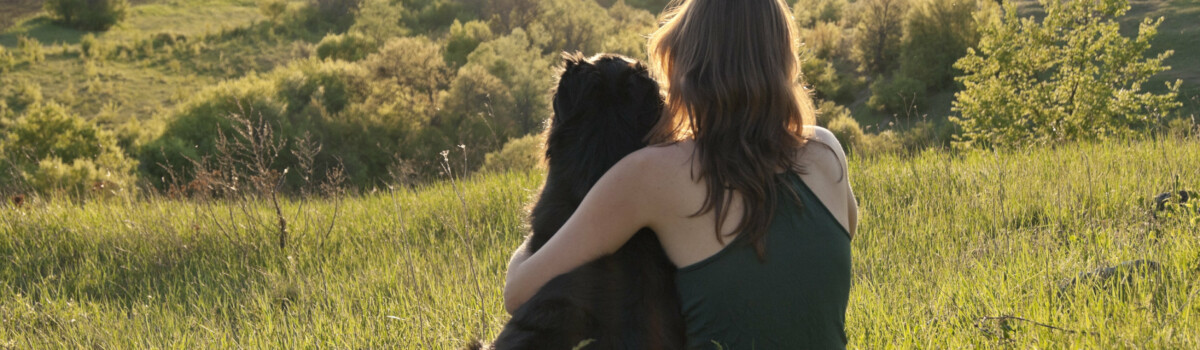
(604, 107)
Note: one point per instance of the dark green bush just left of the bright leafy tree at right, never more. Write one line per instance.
(937, 34)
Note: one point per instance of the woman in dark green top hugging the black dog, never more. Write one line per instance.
(751, 202)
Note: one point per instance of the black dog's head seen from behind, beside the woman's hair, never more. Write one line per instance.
(604, 108)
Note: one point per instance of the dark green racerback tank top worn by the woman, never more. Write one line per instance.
(795, 299)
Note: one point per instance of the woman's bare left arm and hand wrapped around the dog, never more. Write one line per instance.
(614, 210)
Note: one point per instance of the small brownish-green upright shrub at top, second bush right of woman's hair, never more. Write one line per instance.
(878, 35)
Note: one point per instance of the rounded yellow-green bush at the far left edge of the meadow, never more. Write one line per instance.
(56, 150)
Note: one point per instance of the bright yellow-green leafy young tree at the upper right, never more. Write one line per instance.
(1070, 77)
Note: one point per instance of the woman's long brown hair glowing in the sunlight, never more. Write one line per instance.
(733, 81)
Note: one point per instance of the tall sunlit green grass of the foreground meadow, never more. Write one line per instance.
(945, 243)
